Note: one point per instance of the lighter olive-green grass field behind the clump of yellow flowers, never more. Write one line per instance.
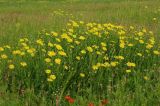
(27, 18)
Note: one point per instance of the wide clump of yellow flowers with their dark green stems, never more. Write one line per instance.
(83, 52)
